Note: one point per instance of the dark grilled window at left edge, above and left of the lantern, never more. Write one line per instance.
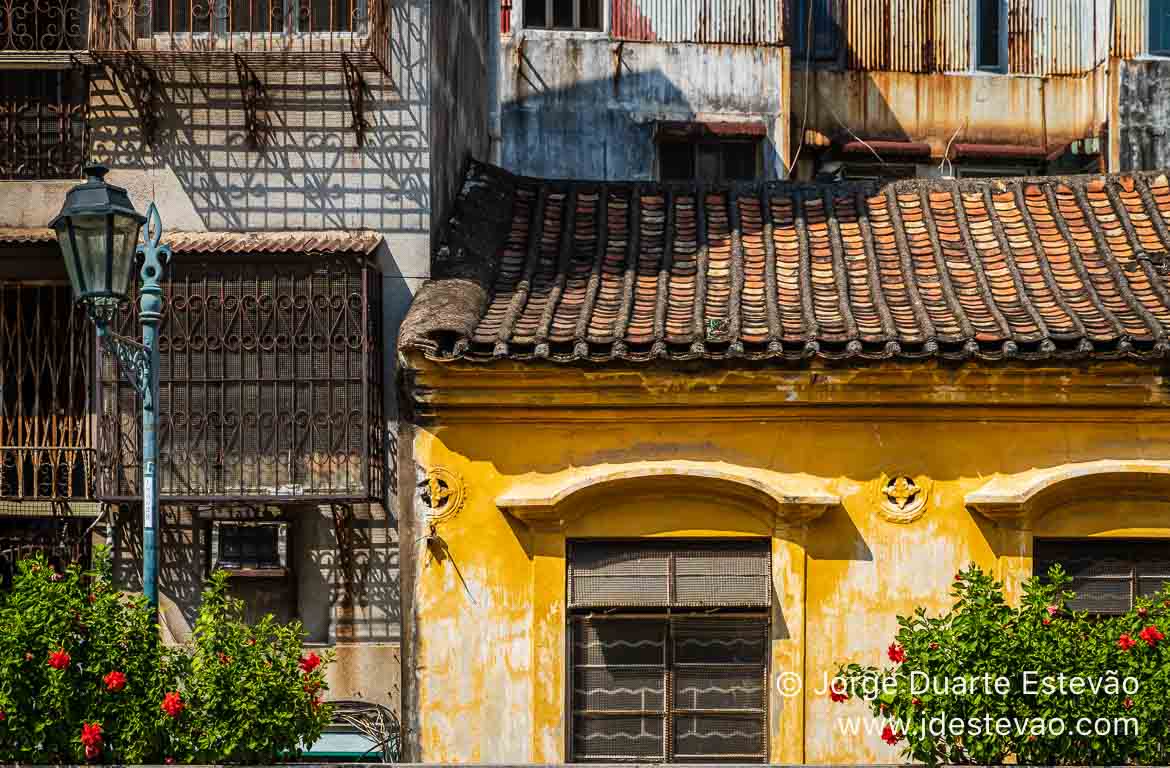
(43, 121)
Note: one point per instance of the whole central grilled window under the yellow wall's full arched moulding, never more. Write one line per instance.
(669, 649)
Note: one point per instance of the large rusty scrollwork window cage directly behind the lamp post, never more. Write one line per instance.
(271, 385)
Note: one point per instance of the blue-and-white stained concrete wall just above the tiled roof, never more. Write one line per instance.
(582, 106)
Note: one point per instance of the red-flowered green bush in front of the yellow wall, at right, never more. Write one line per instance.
(987, 683)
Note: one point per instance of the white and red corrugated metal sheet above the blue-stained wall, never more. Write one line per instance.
(755, 23)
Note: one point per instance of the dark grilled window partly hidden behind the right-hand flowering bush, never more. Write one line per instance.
(1109, 574)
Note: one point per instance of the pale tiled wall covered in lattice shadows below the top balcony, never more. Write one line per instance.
(312, 174)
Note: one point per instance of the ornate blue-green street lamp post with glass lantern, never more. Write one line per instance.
(98, 231)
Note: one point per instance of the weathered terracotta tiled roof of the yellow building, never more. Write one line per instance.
(1038, 269)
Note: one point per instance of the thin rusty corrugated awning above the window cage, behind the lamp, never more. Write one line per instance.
(329, 242)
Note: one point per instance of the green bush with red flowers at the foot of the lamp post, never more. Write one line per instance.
(85, 677)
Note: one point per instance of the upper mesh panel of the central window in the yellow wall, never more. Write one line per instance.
(692, 574)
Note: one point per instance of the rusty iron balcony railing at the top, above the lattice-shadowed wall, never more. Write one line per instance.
(242, 28)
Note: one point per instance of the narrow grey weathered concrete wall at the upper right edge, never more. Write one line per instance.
(1145, 114)
